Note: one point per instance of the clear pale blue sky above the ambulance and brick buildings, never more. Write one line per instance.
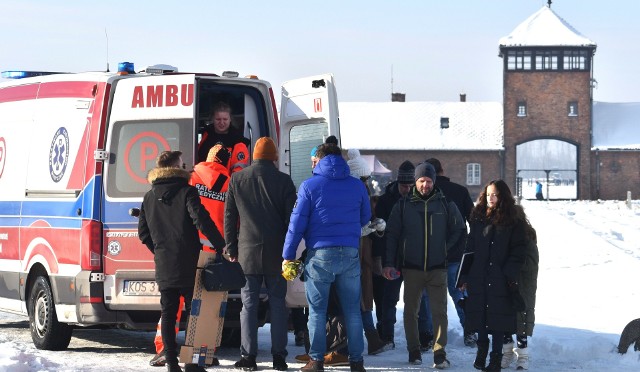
(430, 50)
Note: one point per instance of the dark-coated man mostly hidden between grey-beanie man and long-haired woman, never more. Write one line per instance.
(460, 196)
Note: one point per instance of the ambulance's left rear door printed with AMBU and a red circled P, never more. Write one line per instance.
(149, 114)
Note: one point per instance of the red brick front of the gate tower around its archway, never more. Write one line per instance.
(547, 95)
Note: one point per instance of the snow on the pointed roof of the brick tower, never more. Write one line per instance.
(545, 28)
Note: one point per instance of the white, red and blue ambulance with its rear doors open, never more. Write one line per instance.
(75, 149)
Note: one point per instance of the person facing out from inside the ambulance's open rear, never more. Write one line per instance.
(221, 131)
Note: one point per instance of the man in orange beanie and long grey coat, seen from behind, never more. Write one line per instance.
(257, 211)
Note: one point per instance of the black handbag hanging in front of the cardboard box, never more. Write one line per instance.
(223, 275)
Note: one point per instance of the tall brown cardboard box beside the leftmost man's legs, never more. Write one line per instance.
(204, 330)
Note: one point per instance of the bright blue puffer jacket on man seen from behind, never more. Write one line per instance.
(330, 210)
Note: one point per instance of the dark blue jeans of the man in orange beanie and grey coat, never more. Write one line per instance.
(278, 314)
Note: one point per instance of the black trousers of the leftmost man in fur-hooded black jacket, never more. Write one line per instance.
(169, 303)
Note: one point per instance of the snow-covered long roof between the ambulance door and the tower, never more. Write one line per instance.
(416, 125)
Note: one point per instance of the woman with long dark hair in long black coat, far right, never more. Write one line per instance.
(498, 236)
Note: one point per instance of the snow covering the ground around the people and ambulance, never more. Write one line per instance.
(587, 293)
